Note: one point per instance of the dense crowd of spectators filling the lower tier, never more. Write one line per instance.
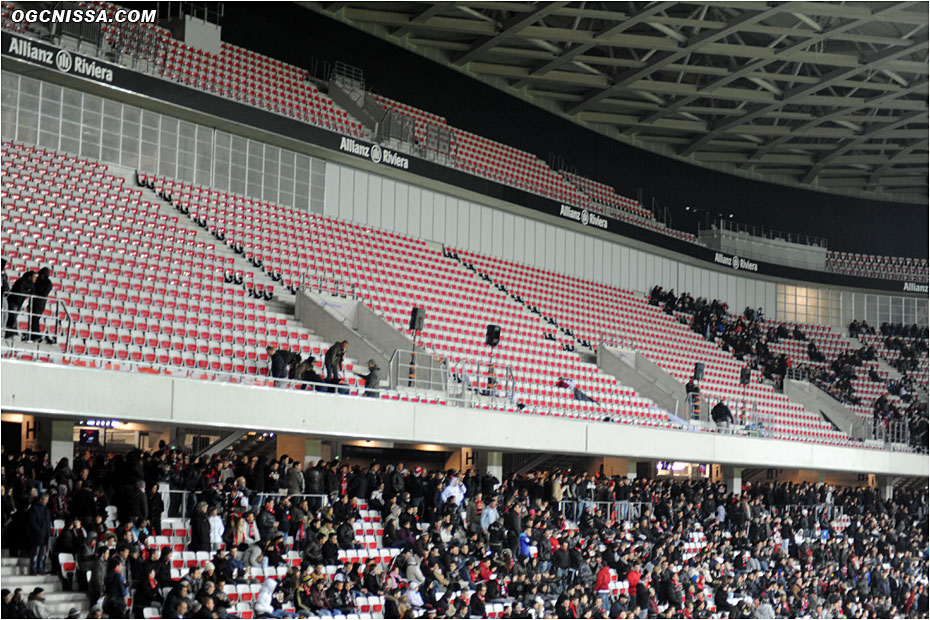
(467, 540)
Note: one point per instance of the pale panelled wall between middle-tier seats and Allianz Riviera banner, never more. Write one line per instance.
(68, 119)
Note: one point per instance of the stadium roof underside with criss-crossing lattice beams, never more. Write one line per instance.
(827, 95)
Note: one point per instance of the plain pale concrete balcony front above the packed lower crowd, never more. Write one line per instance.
(138, 397)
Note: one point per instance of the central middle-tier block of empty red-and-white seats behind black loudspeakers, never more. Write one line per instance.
(392, 273)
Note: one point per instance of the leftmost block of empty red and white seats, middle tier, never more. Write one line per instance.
(141, 290)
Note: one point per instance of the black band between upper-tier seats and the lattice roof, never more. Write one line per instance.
(291, 33)
